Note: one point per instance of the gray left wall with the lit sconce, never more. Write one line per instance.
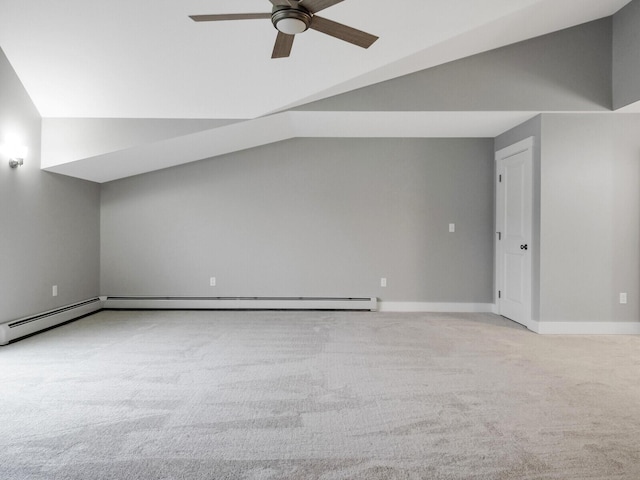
(49, 225)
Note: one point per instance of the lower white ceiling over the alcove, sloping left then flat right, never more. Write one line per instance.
(146, 157)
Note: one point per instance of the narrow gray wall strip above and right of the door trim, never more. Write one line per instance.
(532, 128)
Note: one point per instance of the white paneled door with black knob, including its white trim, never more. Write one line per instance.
(514, 212)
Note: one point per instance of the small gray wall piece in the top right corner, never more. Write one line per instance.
(626, 55)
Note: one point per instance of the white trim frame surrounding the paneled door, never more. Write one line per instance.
(502, 155)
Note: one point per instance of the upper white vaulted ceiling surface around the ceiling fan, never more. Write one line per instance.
(147, 59)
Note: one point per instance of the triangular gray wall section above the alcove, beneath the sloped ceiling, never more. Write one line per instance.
(565, 70)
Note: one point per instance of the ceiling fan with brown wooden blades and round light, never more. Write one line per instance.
(291, 17)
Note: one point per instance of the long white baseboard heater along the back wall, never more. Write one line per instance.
(240, 303)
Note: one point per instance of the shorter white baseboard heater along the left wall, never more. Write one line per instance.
(23, 327)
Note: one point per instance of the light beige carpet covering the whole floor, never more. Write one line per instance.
(313, 395)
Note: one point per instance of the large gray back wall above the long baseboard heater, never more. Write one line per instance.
(308, 217)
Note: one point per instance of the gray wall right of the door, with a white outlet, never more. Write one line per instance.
(590, 217)
